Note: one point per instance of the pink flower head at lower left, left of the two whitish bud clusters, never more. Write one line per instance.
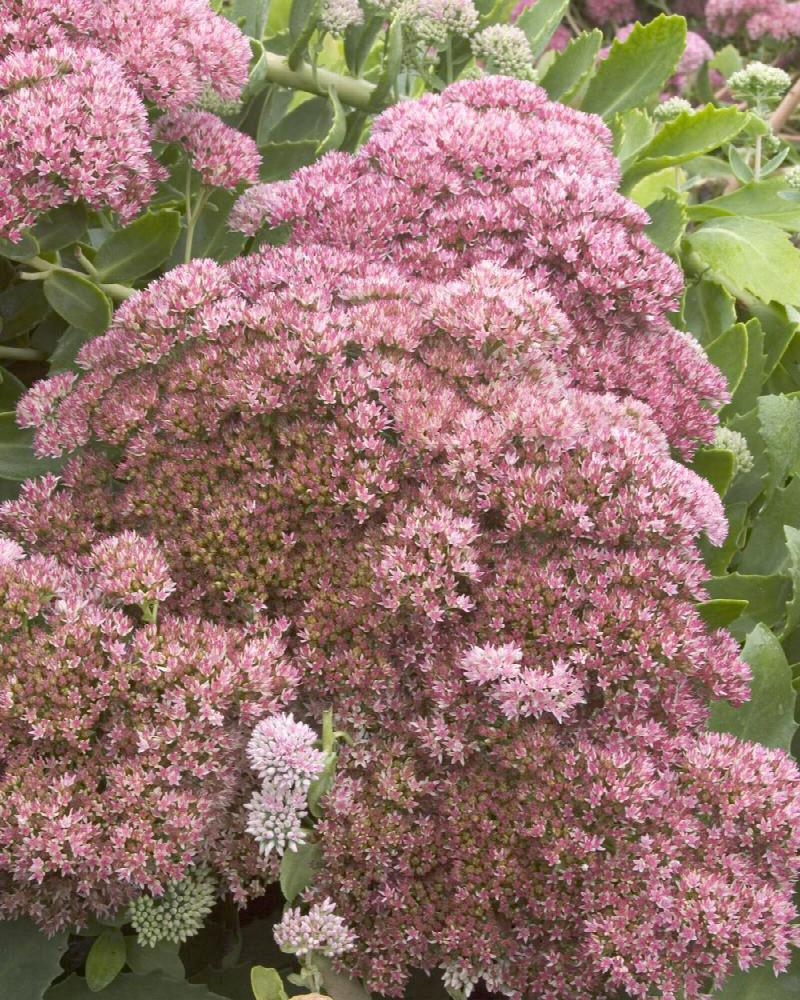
(122, 745)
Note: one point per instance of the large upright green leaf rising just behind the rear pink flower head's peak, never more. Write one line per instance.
(638, 67)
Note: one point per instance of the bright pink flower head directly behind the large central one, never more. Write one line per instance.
(492, 170)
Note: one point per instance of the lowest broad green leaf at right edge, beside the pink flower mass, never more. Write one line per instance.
(768, 718)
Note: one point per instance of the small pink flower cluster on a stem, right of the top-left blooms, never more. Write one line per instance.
(223, 156)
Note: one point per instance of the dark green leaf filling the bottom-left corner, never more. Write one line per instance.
(29, 960)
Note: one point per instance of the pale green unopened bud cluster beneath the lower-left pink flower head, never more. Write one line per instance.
(178, 913)
